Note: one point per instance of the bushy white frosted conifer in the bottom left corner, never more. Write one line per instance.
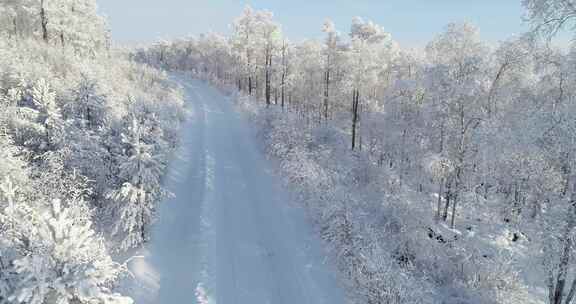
(67, 263)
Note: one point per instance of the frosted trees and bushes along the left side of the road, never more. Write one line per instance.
(78, 122)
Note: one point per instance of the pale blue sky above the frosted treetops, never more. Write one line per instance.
(412, 22)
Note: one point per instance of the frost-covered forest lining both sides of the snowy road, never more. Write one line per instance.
(440, 175)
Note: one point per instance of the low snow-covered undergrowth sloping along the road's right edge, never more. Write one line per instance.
(387, 246)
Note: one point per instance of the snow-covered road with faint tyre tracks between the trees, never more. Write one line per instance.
(229, 236)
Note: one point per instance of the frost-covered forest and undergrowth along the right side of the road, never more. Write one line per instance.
(448, 170)
